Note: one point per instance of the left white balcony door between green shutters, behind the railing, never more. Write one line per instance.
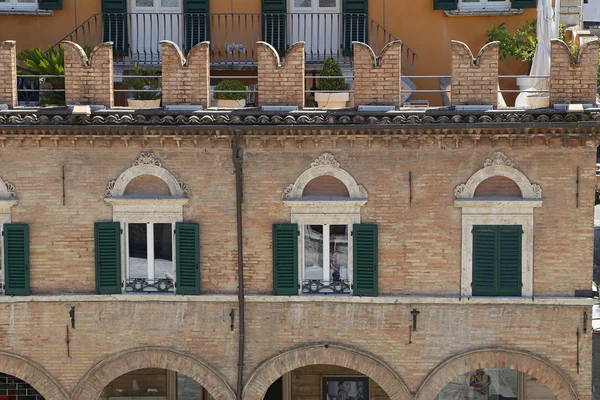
(152, 21)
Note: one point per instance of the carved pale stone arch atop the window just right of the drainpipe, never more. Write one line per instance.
(325, 165)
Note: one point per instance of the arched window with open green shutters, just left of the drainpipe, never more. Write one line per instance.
(159, 250)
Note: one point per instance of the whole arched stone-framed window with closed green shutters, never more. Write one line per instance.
(497, 229)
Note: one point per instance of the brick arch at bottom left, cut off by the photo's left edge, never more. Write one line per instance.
(34, 374)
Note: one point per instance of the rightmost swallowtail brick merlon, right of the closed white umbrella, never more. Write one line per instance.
(573, 82)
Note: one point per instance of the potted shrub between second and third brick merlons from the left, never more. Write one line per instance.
(145, 87)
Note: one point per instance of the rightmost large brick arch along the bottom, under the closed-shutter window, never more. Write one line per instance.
(557, 381)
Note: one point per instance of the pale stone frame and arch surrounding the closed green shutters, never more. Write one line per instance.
(497, 211)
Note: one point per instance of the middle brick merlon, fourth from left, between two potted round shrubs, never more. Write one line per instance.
(280, 82)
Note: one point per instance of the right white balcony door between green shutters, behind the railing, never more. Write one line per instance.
(318, 23)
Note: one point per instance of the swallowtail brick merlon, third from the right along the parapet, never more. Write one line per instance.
(377, 80)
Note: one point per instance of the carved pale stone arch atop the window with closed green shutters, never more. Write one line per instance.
(498, 165)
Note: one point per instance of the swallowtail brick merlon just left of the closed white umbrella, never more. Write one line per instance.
(474, 80)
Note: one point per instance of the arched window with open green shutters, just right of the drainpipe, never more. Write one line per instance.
(325, 249)
